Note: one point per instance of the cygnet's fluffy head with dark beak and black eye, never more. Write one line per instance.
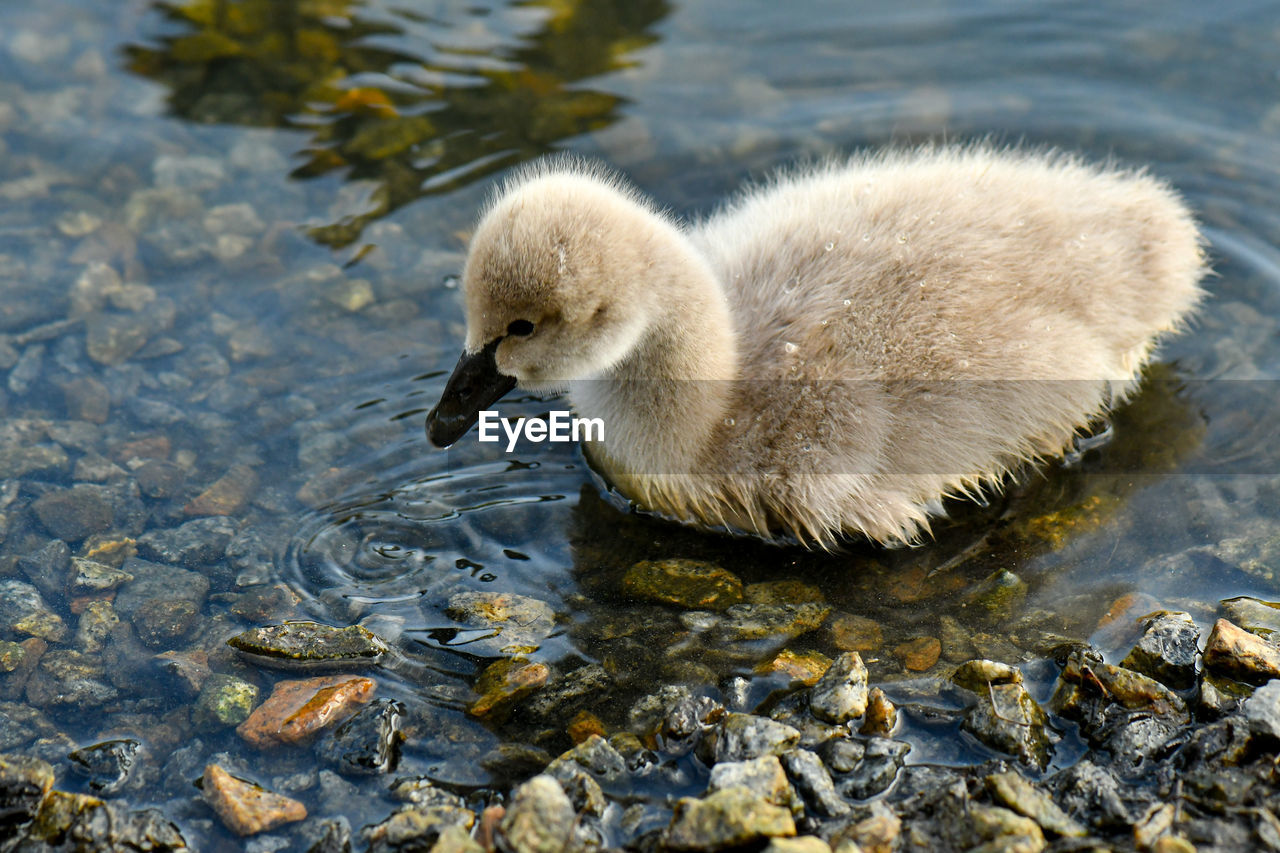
(556, 290)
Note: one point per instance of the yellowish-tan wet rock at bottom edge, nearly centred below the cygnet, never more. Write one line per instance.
(730, 818)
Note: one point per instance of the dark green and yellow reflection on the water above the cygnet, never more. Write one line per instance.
(400, 98)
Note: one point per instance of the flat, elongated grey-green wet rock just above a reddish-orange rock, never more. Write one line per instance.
(301, 645)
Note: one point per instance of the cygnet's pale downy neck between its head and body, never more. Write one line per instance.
(665, 403)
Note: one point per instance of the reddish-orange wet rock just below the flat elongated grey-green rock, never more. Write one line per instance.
(298, 710)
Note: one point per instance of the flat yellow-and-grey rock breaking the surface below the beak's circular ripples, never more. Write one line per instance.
(505, 623)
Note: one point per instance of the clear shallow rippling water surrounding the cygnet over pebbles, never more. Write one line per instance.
(307, 332)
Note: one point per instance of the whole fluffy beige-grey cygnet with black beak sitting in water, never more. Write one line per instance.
(834, 352)
